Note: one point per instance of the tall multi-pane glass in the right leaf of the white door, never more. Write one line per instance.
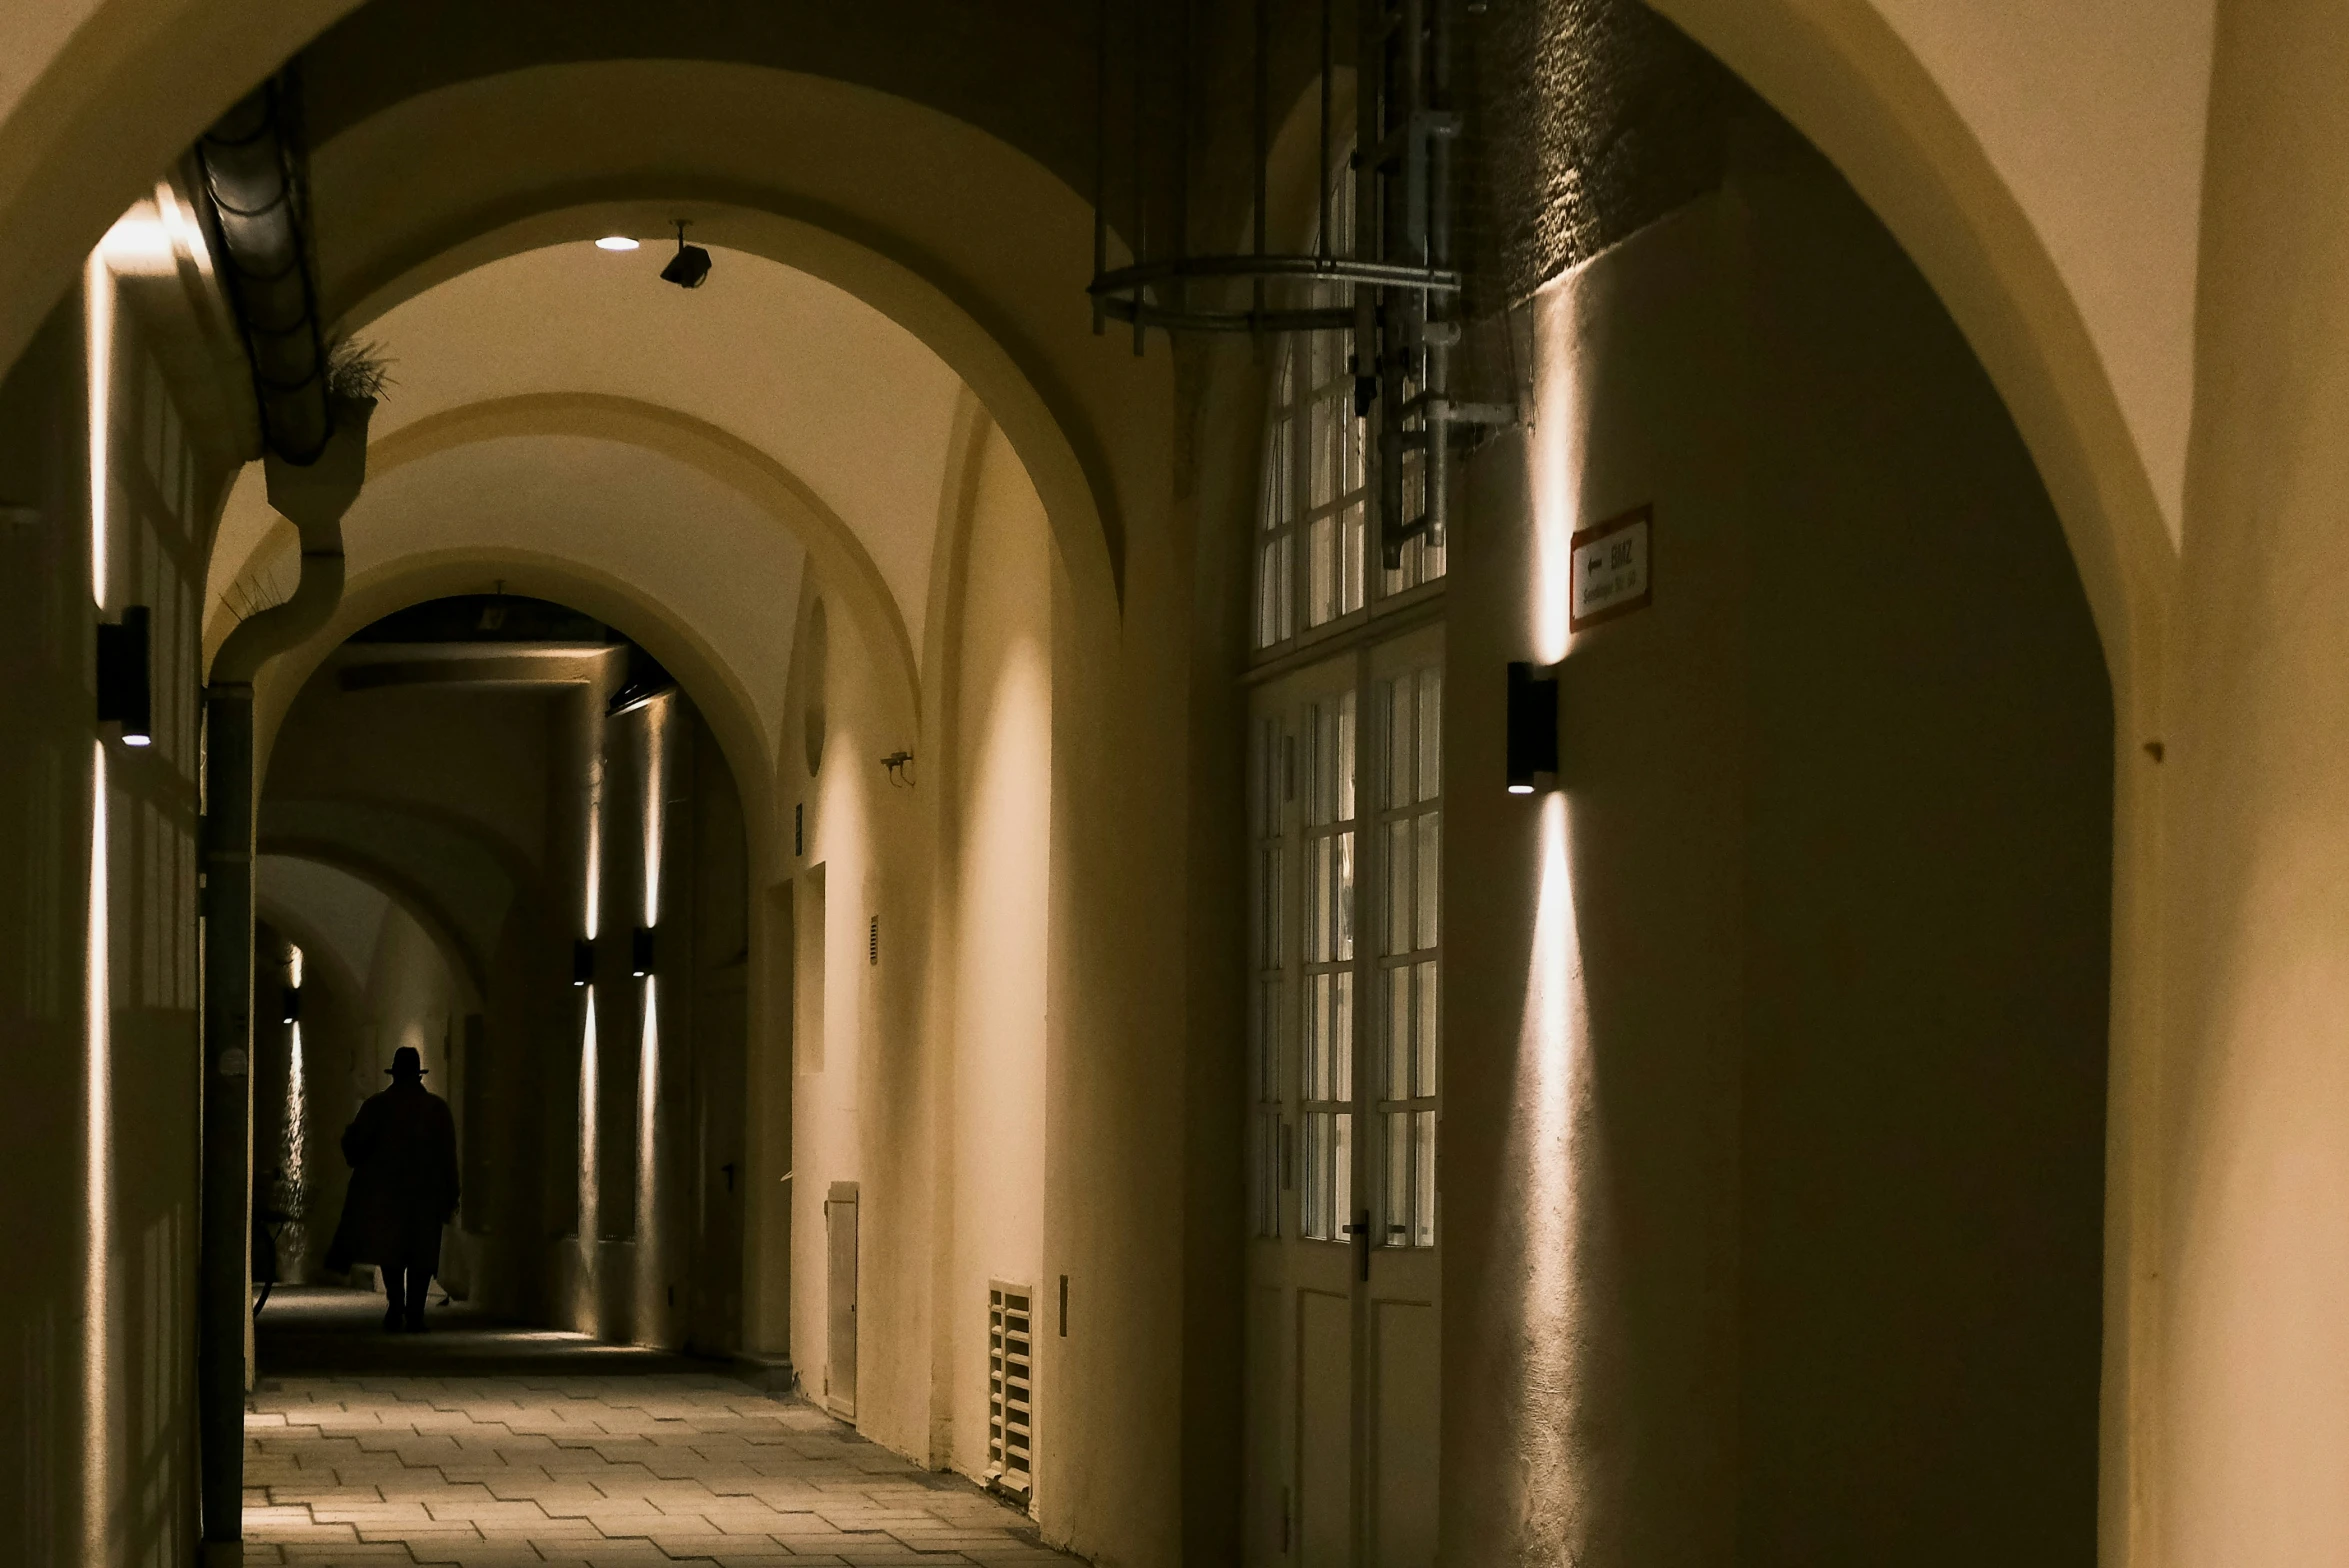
(1411, 830)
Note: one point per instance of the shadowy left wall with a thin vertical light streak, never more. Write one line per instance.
(116, 447)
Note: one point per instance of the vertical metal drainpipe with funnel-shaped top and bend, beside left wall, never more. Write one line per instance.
(314, 499)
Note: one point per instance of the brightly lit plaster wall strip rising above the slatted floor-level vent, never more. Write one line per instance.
(999, 926)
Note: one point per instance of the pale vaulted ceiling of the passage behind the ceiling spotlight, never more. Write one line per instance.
(830, 393)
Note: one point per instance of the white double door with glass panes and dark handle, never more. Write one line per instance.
(1347, 823)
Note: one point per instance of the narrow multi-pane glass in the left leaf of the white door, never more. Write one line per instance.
(1328, 966)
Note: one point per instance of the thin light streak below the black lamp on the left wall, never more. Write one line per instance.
(97, 1187)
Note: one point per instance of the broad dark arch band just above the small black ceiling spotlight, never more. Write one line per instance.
(790, 168)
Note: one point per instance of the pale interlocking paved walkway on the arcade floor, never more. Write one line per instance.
(523, 1449)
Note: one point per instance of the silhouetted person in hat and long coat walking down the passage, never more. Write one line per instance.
(403, 1187)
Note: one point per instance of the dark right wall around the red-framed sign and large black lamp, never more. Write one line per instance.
(1777, 1034)
